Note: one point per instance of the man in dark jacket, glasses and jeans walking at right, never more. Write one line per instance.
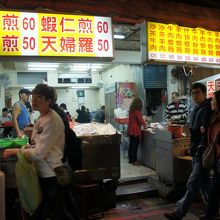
(199, 178)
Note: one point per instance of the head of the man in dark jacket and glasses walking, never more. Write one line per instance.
(198, 92)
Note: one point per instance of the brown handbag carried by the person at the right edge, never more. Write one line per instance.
(208, 157)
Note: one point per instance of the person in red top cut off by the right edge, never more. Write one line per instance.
(213, 133)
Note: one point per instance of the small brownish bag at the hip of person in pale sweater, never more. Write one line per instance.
(64, 174)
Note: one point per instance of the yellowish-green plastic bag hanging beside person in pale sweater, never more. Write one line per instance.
(28, 184)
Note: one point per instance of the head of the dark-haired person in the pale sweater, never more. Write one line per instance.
(43, 97)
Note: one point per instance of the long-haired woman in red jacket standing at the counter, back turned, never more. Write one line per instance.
(134, 128)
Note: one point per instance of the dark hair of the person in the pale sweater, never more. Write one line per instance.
(47, 91)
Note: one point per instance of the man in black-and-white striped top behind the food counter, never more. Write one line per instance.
(176, 111)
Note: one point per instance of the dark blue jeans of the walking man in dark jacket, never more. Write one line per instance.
(199, 179)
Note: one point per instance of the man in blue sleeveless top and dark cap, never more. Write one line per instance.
(20, 116)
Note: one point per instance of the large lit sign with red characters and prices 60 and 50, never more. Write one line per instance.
(40, 34)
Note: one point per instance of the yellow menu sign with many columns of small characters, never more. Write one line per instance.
(169, 42)
